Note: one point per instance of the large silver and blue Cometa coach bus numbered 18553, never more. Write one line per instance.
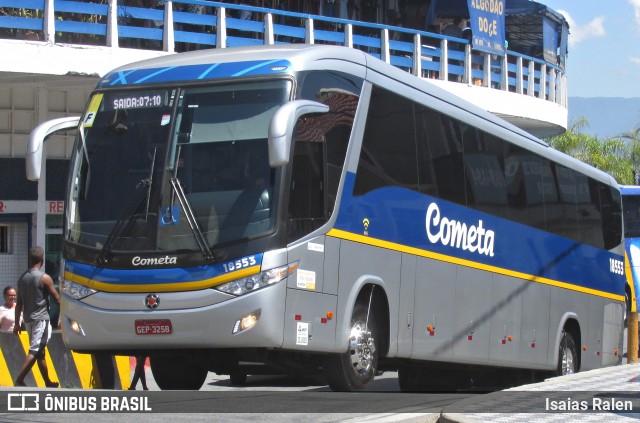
(312, 208)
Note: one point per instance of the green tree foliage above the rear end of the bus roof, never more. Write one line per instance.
(617, 156)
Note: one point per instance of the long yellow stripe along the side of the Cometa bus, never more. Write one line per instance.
(349, 236)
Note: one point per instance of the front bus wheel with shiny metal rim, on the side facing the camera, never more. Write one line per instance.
(355, 369)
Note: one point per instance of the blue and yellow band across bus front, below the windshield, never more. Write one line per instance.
(167, 278)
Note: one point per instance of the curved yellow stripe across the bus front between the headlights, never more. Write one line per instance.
(163, 287)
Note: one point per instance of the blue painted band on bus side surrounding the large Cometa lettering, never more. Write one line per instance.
(398, 216)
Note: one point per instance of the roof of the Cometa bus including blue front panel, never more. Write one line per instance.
(290, 58)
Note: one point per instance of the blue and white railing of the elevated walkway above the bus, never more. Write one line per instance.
(183, 25)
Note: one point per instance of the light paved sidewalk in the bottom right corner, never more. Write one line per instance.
(616, 385)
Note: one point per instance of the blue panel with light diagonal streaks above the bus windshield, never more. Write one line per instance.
(195, 72)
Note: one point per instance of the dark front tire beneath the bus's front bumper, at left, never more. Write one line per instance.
(177, 372)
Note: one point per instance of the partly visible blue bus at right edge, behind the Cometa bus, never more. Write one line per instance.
(631, 209)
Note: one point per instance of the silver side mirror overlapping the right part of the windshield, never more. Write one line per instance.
(281, 128)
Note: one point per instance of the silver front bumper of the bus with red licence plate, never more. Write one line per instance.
(197, 319)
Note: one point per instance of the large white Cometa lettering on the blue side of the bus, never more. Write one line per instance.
(473, 238)
